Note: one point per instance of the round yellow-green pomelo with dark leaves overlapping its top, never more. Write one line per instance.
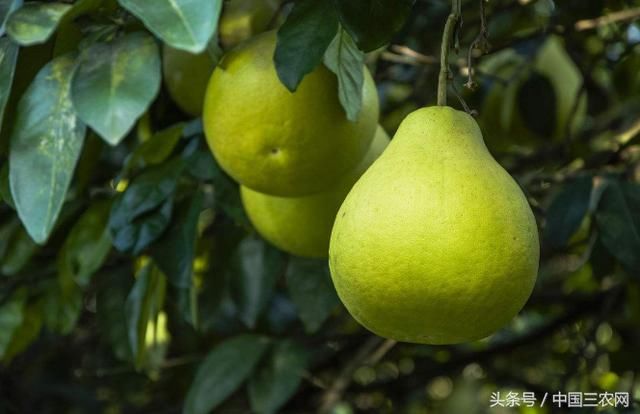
(277, 142)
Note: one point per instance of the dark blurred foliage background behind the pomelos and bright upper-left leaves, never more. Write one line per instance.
(558, 98)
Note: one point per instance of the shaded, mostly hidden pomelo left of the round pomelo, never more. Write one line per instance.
(186, 76)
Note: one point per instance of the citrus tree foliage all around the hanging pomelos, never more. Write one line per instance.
(131, 279)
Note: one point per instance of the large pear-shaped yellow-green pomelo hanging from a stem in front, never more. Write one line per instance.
(435, 243)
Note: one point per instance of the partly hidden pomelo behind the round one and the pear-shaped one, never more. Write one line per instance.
(302, 225)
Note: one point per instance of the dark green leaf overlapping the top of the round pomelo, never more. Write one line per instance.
(302, 40)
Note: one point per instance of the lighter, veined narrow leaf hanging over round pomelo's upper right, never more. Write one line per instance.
(345, 60)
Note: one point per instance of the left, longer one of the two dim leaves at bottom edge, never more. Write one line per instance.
(226, 367)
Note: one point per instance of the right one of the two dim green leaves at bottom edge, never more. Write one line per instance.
(278, 377)
